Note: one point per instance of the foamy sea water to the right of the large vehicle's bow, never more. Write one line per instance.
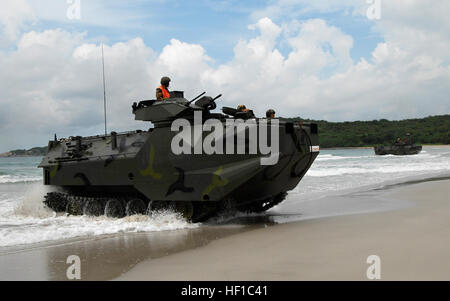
(358, 169)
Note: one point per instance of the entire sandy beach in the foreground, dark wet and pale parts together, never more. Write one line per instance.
(409, 232)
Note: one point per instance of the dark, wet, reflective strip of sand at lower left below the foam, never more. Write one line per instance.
(103, 257)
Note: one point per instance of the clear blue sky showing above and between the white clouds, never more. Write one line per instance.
(216, 25)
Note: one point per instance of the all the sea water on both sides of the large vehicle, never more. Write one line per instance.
(25, 221)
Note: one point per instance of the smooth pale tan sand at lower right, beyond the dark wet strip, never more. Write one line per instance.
(413, 244)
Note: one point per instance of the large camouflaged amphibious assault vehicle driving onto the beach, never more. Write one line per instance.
(139, 172)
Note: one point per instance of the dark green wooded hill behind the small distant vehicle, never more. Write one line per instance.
(429, 130)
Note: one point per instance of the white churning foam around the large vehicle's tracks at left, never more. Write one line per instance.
(24, 219)
